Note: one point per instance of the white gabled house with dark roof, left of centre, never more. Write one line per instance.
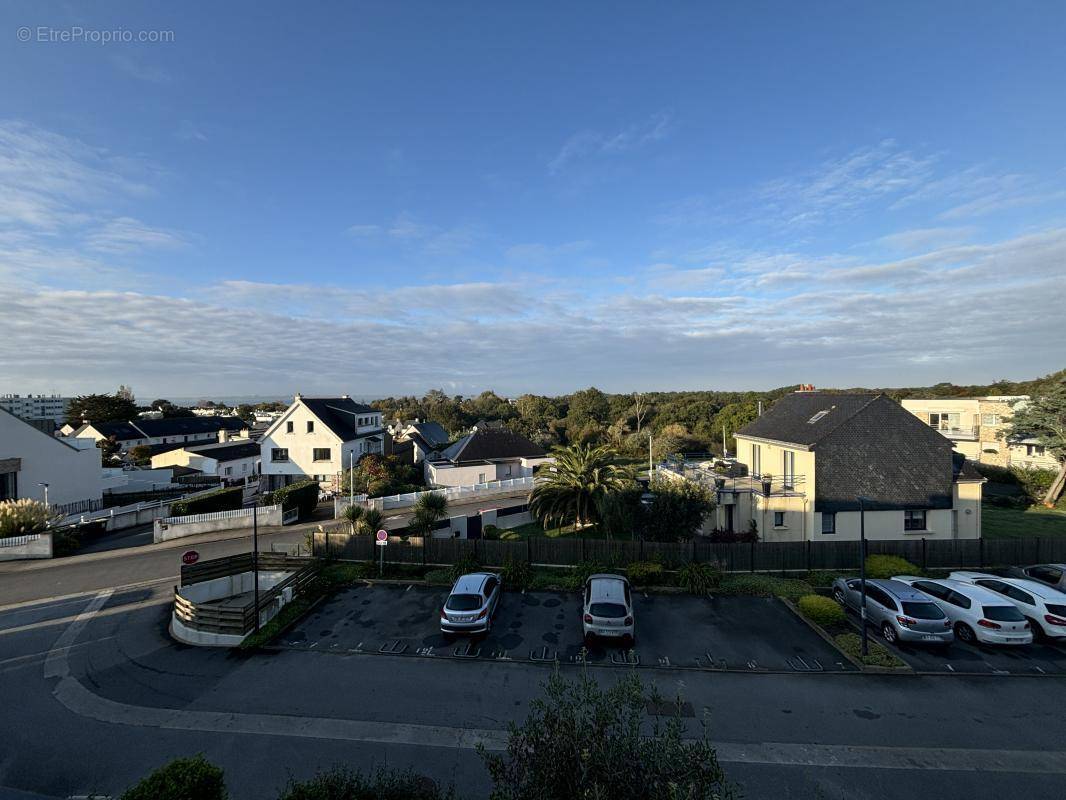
(319, 438)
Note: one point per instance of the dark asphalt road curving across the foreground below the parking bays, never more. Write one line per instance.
(95, 695)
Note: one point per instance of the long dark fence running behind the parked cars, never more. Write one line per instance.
(771, 557)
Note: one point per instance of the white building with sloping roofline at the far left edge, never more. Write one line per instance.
(30, 459)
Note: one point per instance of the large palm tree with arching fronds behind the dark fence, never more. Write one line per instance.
(574, 487)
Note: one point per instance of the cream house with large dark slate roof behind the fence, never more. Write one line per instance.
(810, 458)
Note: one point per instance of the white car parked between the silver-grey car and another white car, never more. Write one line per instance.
(978, 615)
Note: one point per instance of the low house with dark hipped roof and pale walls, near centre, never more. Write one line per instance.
(490, 453)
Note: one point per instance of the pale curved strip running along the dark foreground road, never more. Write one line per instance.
(82, 701)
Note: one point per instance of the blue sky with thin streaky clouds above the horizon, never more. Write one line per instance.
(383, 199)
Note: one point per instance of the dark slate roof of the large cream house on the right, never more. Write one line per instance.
(866, 445)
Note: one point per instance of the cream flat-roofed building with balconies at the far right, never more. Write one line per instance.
(979, 428)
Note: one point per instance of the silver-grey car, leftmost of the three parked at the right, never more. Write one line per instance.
(899, 612)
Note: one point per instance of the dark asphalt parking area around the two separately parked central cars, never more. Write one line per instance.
(746, 634)
